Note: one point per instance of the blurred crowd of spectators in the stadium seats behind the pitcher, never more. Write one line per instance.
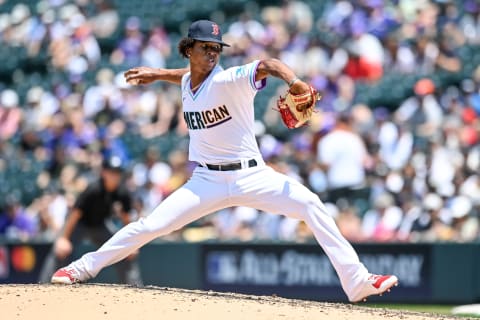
(393, 151)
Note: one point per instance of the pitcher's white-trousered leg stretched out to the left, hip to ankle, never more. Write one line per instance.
(197, 198)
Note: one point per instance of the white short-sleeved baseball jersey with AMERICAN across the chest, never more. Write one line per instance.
(220, 115)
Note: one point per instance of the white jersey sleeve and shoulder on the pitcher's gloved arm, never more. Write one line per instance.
(243, 76)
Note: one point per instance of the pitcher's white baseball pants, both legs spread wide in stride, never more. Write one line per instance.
(208, 191)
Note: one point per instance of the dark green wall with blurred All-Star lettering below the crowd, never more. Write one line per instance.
(428, 273)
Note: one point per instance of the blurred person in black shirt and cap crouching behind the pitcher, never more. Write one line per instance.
(93, 217)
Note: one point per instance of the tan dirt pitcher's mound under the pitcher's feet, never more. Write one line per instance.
(116, 302)
